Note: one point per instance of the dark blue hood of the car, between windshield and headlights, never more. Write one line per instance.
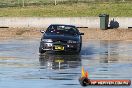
(61, 37)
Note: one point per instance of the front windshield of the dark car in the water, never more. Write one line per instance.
(62, 30)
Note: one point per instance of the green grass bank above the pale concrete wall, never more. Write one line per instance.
(69, 10)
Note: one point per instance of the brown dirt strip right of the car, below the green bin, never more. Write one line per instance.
(111, 34)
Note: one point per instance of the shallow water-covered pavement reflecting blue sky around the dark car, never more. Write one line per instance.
(21, 66)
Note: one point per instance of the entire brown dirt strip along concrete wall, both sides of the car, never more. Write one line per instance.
(90, 34)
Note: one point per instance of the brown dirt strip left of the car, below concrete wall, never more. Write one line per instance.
(8, 33)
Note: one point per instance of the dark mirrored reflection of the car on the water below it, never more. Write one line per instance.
(53, 61)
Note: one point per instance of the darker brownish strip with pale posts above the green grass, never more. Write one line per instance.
(22, 3)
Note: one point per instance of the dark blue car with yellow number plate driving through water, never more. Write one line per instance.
(59, 37)
